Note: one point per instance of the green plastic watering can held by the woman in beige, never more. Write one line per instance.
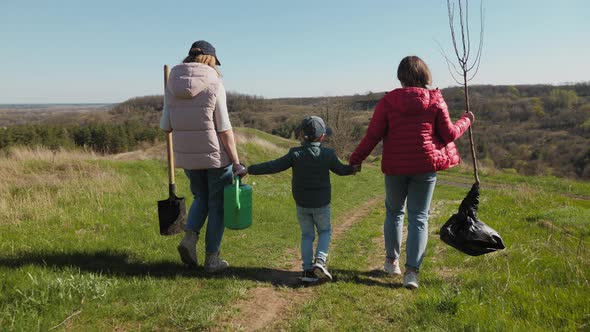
(237, 205)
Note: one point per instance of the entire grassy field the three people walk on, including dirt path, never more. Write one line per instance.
(80, 250)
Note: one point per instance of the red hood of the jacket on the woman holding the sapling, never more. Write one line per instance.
(412, 99)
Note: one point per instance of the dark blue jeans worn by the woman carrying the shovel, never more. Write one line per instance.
(207, 188)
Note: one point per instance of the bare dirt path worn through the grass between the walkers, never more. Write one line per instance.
(266, 305)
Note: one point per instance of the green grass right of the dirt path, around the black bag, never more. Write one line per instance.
(539, 283)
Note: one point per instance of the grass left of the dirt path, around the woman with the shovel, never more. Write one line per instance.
(86, 239)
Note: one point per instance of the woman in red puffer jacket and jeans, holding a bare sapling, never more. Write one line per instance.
(417, 133)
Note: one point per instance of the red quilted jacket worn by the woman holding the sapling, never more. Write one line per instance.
(416, 130)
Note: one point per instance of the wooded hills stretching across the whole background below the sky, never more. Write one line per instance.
(533, 129)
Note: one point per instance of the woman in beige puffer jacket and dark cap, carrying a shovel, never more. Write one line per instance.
(195, 111)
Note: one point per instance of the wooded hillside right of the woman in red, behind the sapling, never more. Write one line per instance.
(533, 129)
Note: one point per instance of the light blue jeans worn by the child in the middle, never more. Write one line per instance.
(308, 219)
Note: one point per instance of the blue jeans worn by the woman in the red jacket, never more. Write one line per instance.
(417, 191)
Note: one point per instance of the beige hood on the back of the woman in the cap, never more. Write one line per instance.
(189, 79)
